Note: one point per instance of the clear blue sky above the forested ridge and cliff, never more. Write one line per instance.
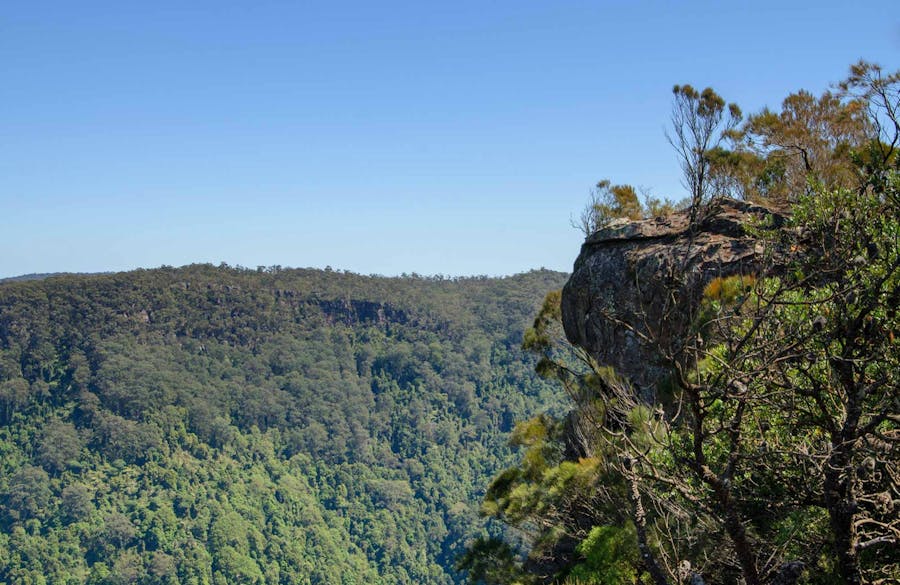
(380, 137)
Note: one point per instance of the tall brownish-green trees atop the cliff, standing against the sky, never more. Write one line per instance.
(835, 140)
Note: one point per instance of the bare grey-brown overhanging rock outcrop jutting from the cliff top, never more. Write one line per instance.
(637, 284)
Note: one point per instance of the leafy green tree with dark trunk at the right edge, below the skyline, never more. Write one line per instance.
(843, 368)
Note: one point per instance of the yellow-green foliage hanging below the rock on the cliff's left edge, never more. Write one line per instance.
(561, 486)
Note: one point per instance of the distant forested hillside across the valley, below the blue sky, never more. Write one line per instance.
(218, 425)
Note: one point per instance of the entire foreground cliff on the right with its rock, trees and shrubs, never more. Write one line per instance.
(755, 436)
